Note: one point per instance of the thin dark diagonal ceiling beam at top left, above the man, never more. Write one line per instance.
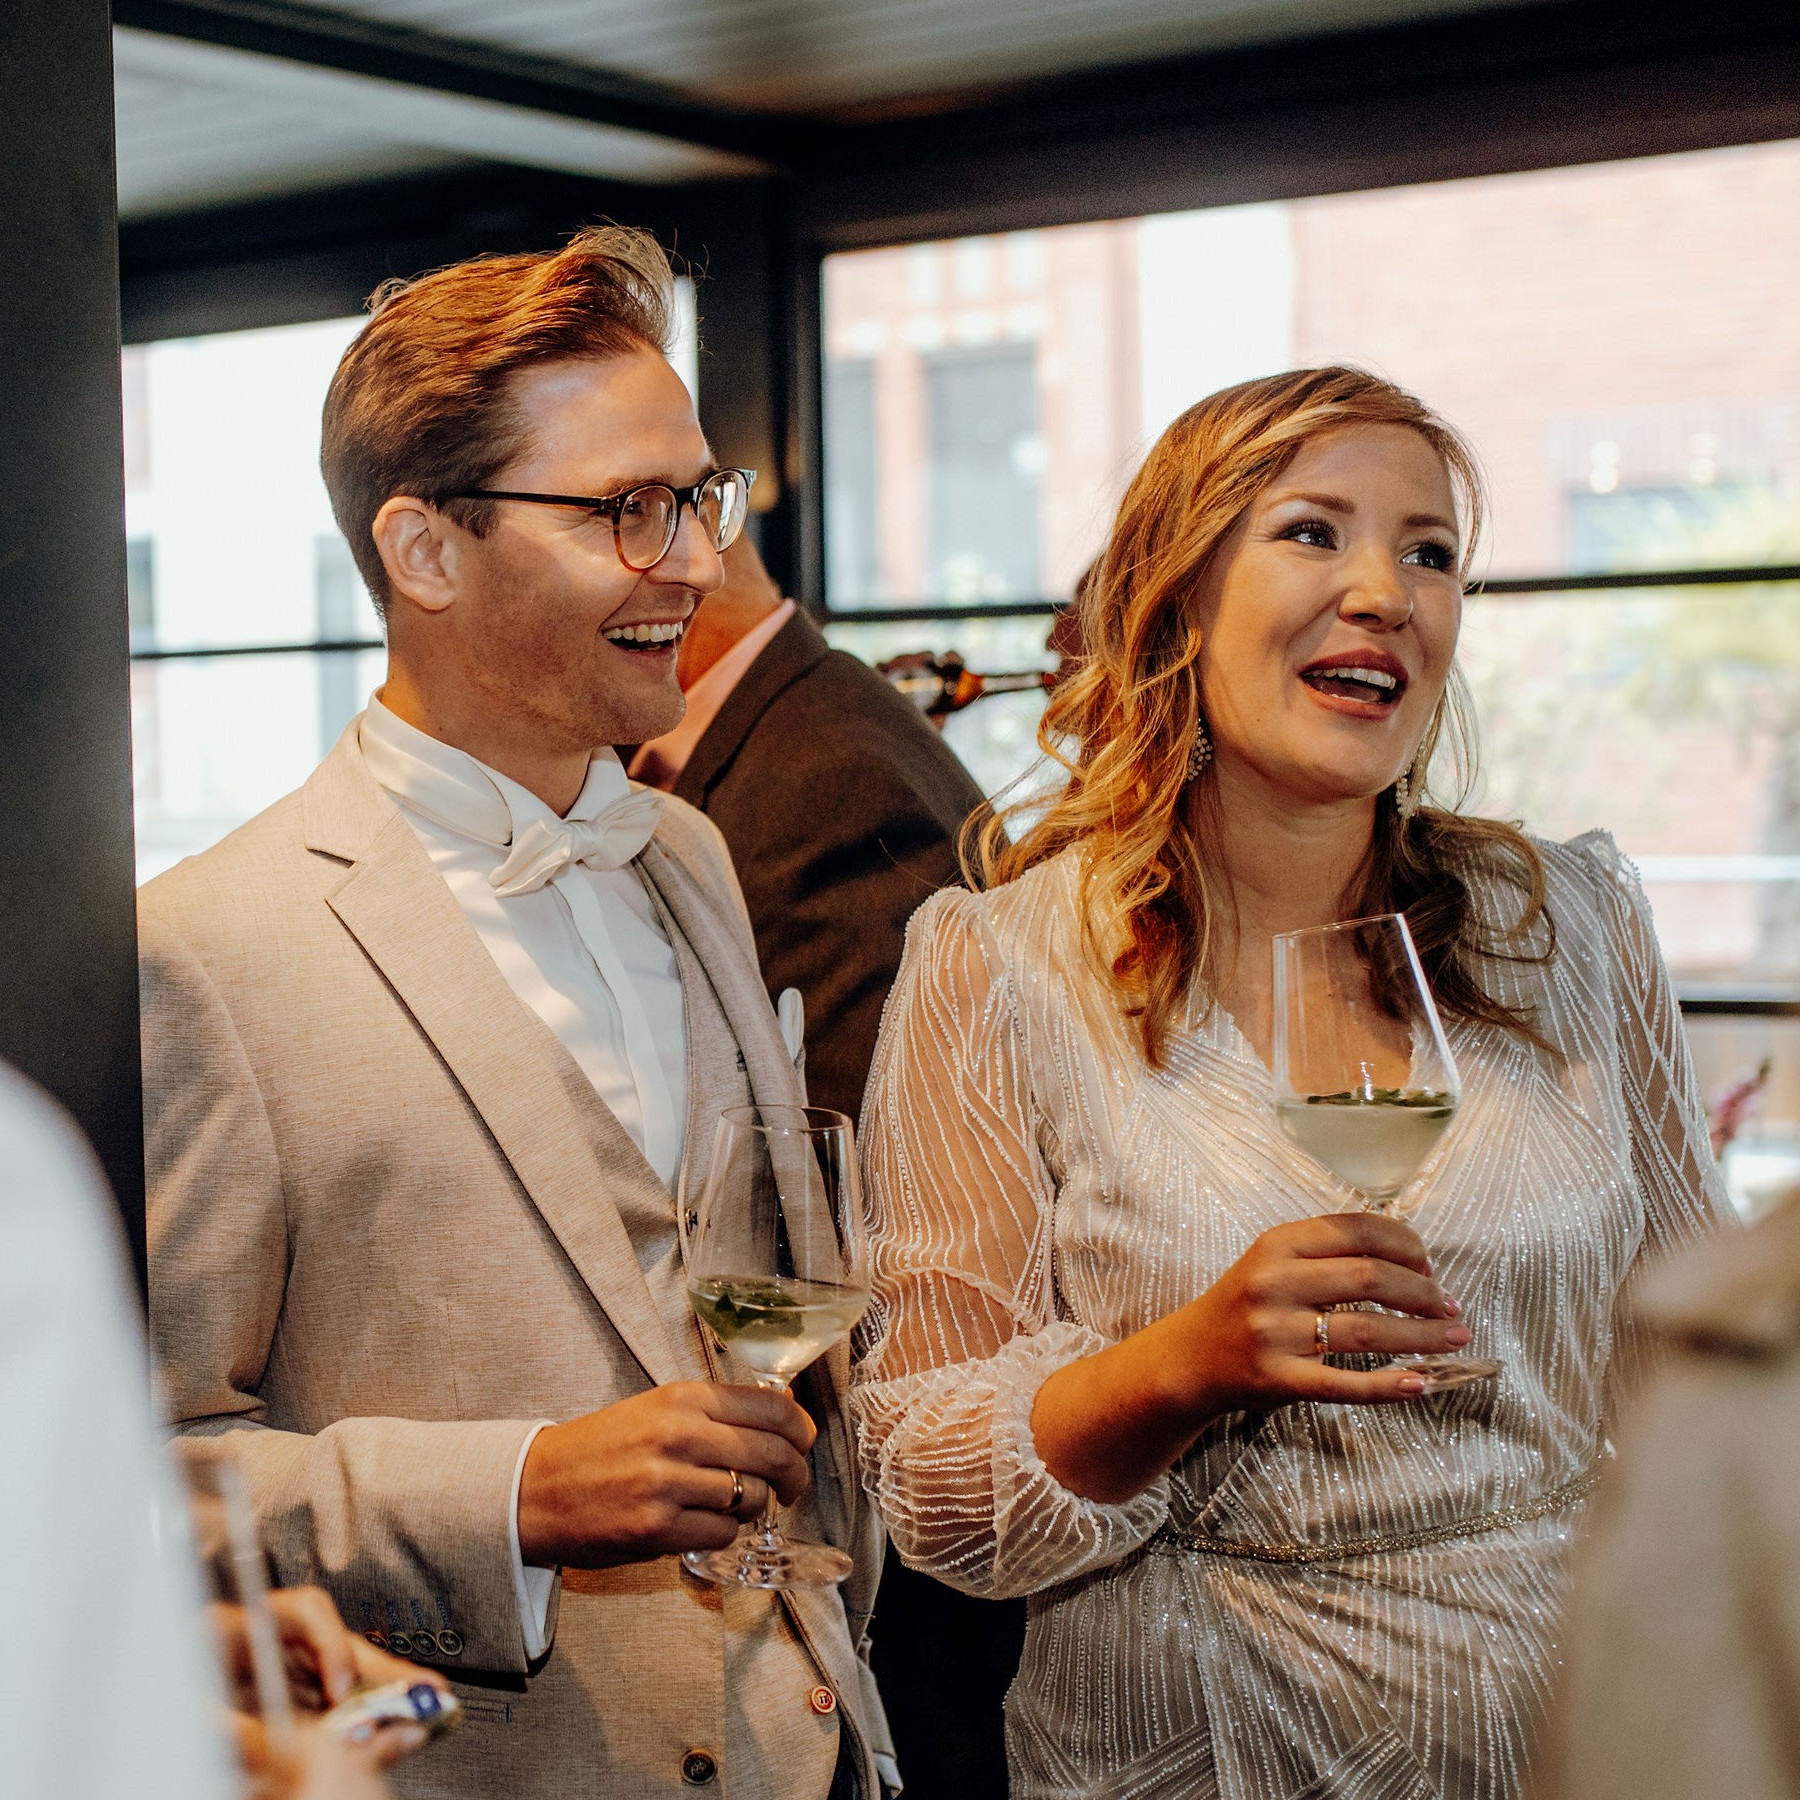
(456, 66)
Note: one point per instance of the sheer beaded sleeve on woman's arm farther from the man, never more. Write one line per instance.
(1671, 1151)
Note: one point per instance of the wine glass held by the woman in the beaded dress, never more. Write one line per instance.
(1363, 1075)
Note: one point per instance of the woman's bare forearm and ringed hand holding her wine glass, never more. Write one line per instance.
(1113, 1423)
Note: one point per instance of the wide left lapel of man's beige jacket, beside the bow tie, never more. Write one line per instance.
(571, 1160)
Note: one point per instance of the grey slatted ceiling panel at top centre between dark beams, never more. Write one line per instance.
(834, 57)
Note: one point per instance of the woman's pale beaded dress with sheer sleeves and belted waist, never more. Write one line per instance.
(1318, 1601)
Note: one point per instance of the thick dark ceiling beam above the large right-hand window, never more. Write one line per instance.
(1522, 87)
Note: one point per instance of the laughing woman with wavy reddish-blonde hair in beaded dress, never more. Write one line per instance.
(1092, 1371)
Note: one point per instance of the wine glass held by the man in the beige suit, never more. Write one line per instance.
(778, 1270)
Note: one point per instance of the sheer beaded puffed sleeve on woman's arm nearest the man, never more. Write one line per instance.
(964, 1331)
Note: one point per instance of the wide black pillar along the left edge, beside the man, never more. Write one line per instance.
(67, 935)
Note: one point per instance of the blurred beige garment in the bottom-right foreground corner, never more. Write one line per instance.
(1682, 1657)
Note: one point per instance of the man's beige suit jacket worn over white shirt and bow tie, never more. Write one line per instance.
(391, 1227)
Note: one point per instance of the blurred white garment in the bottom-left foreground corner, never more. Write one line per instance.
(107, 1687)
